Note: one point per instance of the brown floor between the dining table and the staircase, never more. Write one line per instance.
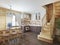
(30, 38)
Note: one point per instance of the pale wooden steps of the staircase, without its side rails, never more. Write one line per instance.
(45, 34)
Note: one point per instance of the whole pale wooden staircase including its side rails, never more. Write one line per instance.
(47, 30)
